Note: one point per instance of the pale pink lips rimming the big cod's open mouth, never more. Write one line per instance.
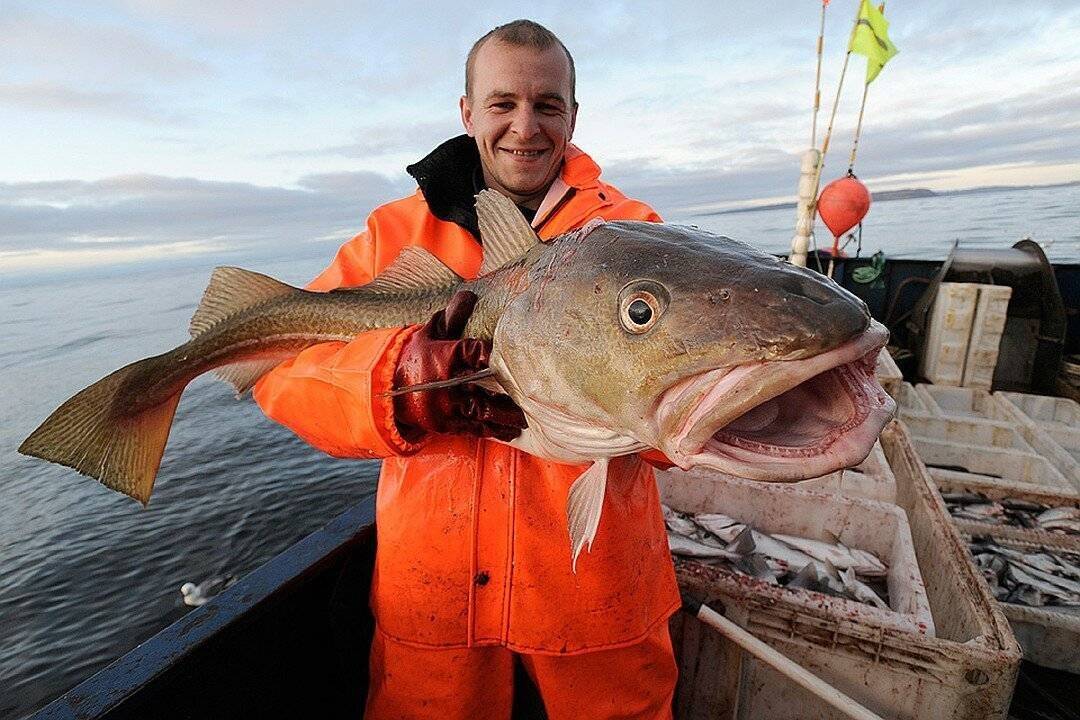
(713, 400)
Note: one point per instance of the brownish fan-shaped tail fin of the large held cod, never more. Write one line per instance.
(121, 451)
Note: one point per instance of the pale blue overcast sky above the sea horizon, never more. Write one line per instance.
(165, 128)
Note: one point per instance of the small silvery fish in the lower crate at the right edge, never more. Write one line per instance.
(1036, 579)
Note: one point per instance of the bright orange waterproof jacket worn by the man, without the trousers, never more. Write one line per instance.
(474, 548)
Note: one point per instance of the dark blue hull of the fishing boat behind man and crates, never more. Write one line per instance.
(292, 639)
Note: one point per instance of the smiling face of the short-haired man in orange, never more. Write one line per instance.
(522, 115)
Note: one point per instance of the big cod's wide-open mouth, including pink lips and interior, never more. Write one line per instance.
(785, 420)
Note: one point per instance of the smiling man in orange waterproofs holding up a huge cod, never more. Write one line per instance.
(474, 565)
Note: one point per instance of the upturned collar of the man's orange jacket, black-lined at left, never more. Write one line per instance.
(445, 178)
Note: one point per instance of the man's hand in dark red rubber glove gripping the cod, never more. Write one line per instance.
(438, 352)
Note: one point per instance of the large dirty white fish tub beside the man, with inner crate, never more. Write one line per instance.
(944, 650)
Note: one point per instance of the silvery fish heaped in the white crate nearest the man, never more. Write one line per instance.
(786, 561)
